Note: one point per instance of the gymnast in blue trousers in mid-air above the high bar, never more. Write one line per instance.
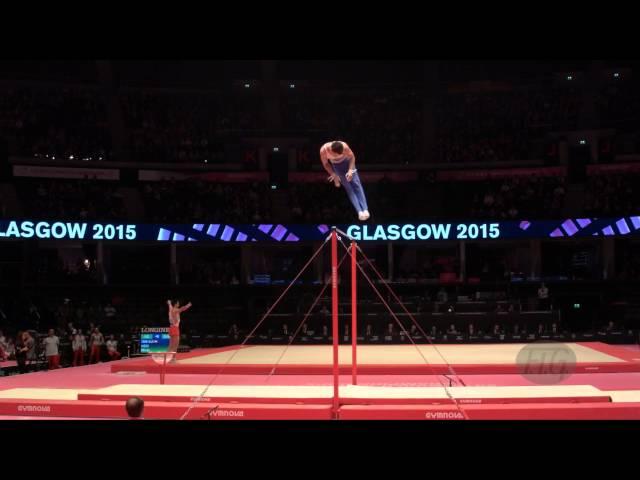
(340, 163)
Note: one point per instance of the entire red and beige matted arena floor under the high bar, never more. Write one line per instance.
(99, 391)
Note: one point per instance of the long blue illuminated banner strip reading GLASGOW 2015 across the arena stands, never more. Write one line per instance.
(426, 231)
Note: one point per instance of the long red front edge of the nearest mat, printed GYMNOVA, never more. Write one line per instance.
(174, 410)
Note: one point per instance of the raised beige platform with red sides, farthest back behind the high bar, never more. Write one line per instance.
(388, 359)
